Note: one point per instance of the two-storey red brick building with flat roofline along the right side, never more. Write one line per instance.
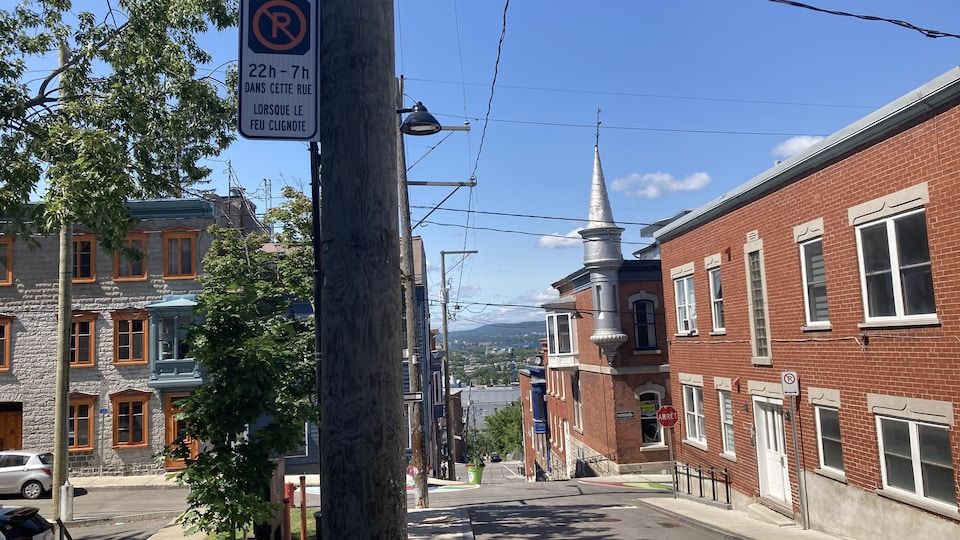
(838, 264)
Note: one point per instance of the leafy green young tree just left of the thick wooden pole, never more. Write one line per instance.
(258, 362)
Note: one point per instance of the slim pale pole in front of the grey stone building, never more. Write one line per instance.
(64, 325)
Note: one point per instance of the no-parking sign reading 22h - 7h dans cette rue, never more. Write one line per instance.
(279, 66)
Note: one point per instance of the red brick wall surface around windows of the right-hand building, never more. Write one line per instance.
(912, 362)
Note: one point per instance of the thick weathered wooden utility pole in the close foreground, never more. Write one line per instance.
(361, 462)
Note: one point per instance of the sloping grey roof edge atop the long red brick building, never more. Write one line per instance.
(875, 127)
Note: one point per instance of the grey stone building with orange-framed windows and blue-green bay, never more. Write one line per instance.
(129, 359)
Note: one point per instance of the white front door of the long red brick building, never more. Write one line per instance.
(771, 450)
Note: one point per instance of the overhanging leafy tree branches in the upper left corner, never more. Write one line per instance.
(126, 117)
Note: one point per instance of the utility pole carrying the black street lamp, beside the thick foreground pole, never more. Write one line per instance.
(421, 492)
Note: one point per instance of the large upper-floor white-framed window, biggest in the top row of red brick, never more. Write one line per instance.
(895, 267)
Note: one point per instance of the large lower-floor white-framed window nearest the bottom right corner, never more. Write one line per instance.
(916, 458)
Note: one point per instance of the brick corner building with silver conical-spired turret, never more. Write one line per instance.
(606, 370)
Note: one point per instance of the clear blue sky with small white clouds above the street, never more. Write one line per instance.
(823, 71)
